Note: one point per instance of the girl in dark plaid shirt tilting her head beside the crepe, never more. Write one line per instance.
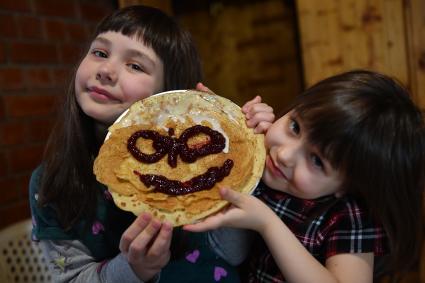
(342, 186)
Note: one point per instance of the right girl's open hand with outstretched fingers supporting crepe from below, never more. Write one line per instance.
(245, 211)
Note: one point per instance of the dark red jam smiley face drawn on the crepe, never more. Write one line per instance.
(178, 146)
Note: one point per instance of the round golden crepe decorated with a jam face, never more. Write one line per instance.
(169, 115)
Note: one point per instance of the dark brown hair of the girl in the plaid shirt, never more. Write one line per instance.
(367, 126)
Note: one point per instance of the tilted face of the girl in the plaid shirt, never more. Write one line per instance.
(295, 166)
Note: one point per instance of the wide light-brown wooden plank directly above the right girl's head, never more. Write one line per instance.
(341, 35)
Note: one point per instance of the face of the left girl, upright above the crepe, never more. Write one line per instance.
(116, 72)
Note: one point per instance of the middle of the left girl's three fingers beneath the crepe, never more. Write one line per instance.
(139, 245)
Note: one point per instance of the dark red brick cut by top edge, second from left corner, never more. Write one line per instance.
(64, 9)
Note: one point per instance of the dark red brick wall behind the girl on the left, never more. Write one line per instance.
(40, 43)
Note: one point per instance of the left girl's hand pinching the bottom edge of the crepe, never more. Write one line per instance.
(146, 244)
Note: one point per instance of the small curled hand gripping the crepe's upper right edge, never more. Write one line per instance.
(258, 115)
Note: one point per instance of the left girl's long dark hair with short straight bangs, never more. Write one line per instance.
(67, 181)
